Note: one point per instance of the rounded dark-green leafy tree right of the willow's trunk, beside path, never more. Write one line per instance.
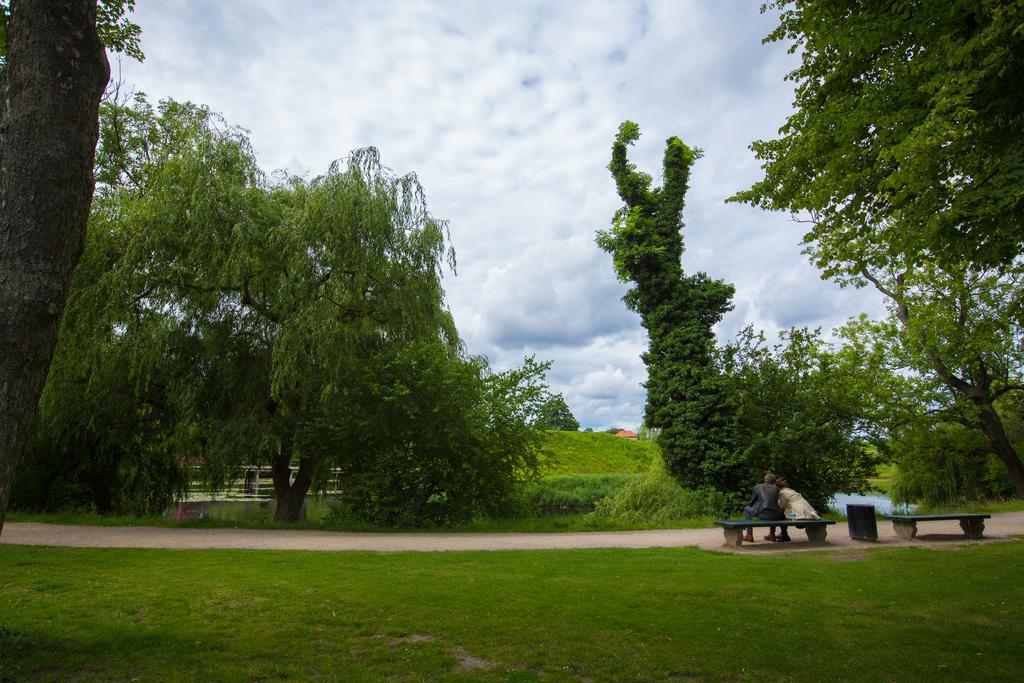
(429, 438)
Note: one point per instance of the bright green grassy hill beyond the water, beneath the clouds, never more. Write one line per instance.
(595, 453)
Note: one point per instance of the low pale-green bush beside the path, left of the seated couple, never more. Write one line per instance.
(656, 499)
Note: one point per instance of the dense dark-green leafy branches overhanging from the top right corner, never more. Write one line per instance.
(909, 127)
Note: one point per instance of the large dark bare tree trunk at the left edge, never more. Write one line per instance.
(56, 75)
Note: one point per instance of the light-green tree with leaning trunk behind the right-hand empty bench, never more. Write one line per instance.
(955, 337)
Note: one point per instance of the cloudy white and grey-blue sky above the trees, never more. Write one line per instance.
(507, 112)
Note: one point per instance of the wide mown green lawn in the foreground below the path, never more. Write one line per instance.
(878, 615)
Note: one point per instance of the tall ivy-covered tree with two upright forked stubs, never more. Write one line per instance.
(688, 400)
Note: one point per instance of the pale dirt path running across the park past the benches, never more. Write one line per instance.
(1001, 528)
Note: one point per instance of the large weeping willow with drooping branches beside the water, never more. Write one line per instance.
(281, 287)
